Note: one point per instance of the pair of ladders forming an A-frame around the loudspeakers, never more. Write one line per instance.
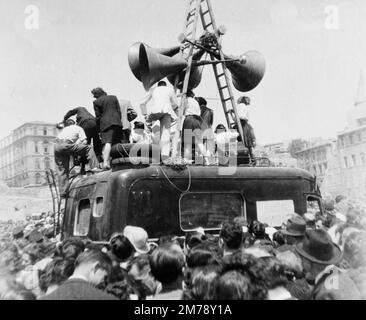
(203, 9)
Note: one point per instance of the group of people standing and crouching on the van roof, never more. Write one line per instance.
(91, 137)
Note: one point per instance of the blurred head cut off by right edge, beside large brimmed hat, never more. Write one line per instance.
(354, 250)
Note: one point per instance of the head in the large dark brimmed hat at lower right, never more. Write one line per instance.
(317, 251)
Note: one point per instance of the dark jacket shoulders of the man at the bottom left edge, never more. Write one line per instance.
(77, 289)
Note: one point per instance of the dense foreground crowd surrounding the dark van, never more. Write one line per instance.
(311, 257)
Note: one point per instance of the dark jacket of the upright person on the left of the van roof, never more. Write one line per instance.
(107, 112)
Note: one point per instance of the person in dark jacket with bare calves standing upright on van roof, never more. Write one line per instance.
(109, 119)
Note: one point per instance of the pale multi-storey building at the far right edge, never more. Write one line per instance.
(341, 164)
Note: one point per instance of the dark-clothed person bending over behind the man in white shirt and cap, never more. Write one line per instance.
(87, 121)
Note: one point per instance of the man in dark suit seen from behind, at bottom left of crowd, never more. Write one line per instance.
(92, 269)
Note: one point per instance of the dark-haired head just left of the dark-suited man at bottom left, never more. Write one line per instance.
(56, 273)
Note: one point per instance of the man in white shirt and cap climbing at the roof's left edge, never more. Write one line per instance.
(71, 141)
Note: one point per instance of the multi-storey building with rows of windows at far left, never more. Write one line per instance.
(26, 153)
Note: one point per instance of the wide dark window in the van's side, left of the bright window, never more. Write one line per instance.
(209, 210)
